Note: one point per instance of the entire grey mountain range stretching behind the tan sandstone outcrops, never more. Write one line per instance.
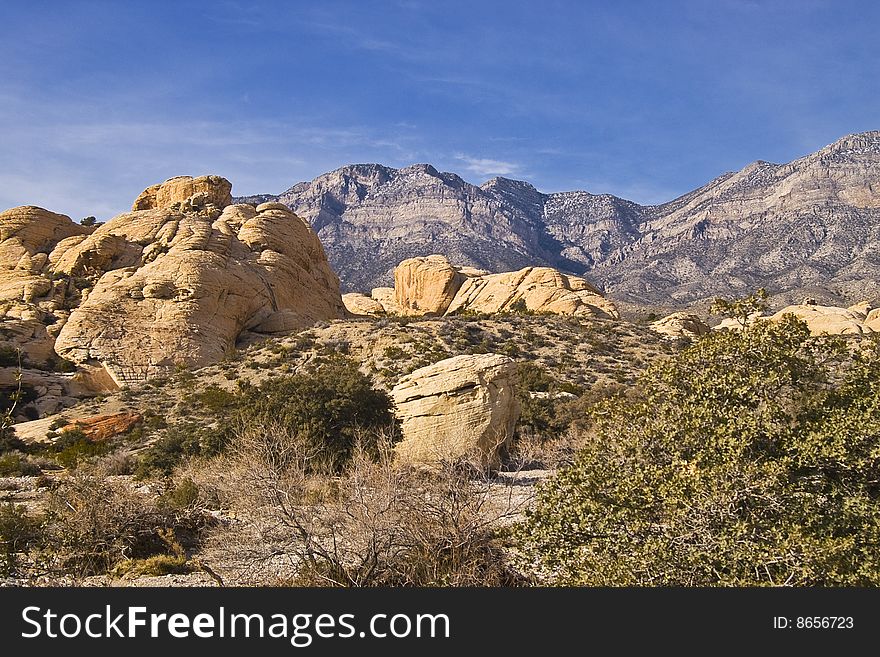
(811, 226)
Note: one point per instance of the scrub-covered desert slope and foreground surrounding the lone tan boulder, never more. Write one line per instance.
(745, 457)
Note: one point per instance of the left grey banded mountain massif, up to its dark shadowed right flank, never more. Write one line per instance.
(371, 217)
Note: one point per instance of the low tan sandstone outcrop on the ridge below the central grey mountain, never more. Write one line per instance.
(434, 287)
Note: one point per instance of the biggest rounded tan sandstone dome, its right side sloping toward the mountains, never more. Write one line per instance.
(177, 288)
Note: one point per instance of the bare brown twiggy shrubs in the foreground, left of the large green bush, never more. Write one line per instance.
(376, 524)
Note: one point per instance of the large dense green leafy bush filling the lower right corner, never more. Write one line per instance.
(748, 459)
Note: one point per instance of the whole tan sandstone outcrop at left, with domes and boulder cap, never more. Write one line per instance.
(172, 283)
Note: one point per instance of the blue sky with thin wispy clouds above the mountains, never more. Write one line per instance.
(645, 100)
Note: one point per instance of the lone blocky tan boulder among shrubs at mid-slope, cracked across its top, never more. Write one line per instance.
(461, 407)
